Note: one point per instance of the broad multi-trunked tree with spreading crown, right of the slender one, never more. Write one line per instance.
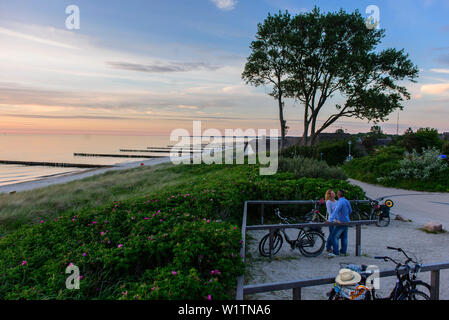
(337, 55)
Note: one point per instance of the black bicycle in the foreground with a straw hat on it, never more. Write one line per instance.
(405, 288)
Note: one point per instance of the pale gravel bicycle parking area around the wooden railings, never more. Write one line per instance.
(291, 265)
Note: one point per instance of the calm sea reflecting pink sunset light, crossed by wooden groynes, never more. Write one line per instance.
(55, 148)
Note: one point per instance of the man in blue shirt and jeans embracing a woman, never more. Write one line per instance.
(341, 215)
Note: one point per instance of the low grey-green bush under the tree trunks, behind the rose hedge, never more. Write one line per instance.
(310, 168)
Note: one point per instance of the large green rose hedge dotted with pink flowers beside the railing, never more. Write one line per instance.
(177, 243)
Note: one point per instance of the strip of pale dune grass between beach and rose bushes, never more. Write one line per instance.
(48, 202)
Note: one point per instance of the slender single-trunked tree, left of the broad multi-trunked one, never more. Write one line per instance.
(267, 63)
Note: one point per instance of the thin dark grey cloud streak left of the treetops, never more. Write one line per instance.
(161, 67)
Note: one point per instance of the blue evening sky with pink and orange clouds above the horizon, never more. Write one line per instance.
(146, 67)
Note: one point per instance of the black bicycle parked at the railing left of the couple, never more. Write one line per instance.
(309, 241)
